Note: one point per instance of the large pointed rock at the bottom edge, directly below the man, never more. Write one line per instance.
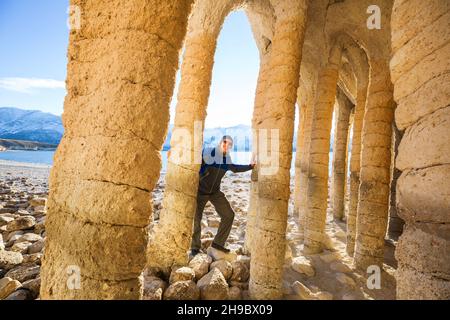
(213, 286)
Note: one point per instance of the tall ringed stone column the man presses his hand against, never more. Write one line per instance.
(268, 252)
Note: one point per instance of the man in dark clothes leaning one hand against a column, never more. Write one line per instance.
(215, 163)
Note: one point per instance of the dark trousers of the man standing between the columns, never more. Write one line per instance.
(226, 213)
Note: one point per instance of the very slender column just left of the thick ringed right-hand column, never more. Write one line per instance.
(355, 161)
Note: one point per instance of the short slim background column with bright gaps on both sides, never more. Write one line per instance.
(341, 130)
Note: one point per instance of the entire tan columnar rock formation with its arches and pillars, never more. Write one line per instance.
(313, 53)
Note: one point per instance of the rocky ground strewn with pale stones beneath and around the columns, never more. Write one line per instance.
(210, 275)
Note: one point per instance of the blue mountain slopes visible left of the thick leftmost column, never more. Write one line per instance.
(30, 125)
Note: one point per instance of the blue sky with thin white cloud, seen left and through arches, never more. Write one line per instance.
(33, 45)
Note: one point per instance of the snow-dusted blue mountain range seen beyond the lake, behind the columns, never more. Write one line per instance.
(32, 125)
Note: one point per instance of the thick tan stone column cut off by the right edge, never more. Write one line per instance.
(420, 68)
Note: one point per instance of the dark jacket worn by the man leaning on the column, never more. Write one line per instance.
(214, 166)
